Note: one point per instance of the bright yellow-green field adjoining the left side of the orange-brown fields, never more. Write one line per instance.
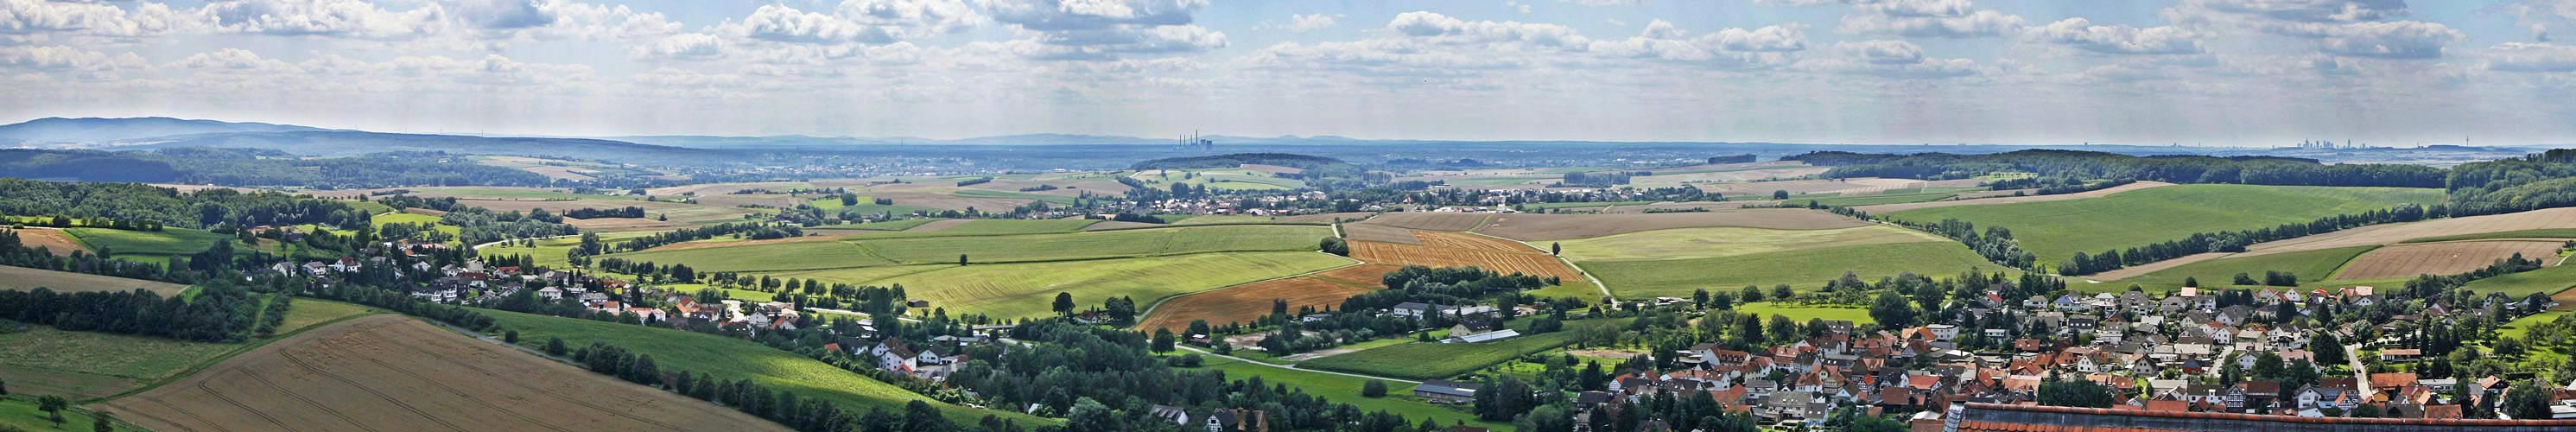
(1024, 289)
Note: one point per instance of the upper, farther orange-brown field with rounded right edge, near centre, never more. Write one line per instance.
(1457, 251)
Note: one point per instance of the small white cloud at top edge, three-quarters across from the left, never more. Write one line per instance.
(1928, 19)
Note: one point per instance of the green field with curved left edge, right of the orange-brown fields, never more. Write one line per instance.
(1799, 269)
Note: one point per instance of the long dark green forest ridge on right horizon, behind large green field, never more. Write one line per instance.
(2178, 168)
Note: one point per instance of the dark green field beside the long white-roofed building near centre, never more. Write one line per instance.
(1431, 361)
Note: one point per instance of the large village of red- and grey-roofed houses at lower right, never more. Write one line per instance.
(2147, 348)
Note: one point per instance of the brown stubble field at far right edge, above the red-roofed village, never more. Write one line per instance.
(2441, 258)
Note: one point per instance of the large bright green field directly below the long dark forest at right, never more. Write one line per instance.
(2060, 230)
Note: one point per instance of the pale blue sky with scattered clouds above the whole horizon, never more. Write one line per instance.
(2219, 73)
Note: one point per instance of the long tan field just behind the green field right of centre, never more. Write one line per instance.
(1537, 228)
